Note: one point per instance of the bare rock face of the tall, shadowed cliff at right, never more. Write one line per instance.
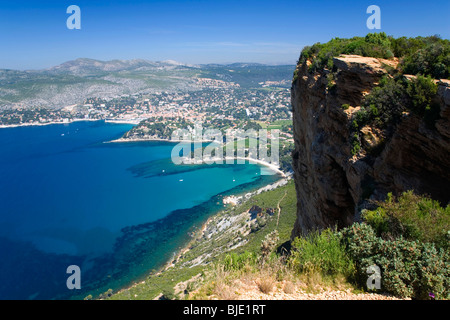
(332, 184)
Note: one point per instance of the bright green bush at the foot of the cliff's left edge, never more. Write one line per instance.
(322, 253)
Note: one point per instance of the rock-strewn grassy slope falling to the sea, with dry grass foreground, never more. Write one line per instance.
(224, 260)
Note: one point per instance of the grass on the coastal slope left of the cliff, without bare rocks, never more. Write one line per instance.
(155, 284)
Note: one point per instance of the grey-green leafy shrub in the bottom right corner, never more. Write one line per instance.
(408, 268)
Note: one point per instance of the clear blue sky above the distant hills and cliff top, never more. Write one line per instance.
(34, 33)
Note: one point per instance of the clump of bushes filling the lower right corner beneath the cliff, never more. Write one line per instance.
(408, 239)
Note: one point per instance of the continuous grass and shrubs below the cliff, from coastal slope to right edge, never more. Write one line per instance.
(407, 238)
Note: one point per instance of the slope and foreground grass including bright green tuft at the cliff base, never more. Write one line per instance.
(226, 273)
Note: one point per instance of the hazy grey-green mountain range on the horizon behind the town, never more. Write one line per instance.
(73, 81)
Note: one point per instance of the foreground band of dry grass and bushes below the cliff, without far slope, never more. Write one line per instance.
(413, 264)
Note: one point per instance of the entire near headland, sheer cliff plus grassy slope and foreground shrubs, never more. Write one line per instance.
(366, 134)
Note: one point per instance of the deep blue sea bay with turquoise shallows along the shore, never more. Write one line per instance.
(116, 210)
